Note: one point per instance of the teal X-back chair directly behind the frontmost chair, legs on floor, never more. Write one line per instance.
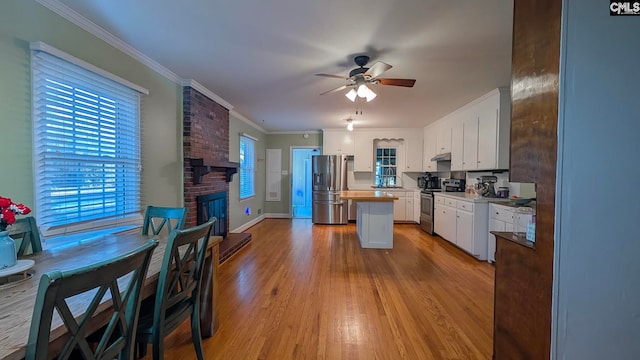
(178, 293)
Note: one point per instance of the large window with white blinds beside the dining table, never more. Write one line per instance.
(86, 147)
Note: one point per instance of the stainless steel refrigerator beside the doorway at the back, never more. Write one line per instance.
(329, 178)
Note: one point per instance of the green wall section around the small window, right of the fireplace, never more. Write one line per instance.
(237, 216)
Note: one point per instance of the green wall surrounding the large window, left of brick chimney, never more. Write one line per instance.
(25, 21)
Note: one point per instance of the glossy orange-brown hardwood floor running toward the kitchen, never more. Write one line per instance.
(303, 291)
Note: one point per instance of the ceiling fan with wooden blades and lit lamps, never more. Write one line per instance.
(360, 77)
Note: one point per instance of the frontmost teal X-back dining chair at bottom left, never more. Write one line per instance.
(94, 281)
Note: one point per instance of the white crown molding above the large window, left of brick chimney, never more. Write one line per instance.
(89, 26)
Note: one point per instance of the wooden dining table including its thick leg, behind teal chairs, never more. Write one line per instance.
(17, 299)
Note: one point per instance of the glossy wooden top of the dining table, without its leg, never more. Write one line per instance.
(17, 301)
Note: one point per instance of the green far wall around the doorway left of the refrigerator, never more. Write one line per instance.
(285, 142)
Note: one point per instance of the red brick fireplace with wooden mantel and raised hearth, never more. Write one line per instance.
(206, 165)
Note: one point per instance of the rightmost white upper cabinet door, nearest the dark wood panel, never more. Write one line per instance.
(487, 134)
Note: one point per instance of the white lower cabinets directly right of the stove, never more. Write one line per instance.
(463, 223)
